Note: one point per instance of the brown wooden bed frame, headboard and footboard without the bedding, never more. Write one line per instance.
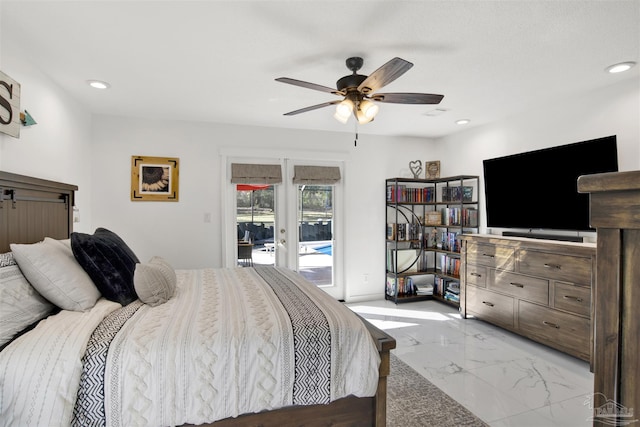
(32, 209)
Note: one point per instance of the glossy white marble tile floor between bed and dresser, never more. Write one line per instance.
(504, 379)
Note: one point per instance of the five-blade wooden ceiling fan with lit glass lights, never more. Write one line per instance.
(360, 92)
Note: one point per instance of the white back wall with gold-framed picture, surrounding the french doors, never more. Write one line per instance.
(177, 231)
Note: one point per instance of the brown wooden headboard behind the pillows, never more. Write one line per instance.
(32, 209)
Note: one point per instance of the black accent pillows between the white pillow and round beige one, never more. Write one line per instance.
(108, 261)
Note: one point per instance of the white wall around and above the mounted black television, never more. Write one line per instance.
(614, 110)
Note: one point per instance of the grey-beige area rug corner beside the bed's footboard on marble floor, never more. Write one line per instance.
(413, 401)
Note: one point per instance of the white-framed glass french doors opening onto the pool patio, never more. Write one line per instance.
(290, 225)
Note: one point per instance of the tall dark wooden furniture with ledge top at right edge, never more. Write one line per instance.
(615, 213)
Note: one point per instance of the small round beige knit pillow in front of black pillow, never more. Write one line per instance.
(155, 282)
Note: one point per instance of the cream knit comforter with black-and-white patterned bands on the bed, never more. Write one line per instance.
(231, 341)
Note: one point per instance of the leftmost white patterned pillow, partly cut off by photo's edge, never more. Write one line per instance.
(20, 305)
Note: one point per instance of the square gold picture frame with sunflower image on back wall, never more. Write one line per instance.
(155, 179)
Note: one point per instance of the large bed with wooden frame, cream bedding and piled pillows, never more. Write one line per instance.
(223, 347)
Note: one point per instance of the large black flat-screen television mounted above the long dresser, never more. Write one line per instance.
(537, 190)
